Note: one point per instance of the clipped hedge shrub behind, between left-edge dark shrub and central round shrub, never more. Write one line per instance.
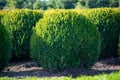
(19, 23)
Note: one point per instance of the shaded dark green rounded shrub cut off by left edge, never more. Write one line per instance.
(5, 47)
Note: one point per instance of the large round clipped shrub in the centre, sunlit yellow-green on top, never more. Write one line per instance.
(63, 40)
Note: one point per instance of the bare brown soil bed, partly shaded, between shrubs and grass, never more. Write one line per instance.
(29, 68)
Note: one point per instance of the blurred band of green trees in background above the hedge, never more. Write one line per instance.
(57, 4)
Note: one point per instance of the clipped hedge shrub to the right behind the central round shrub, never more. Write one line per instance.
(108, 22)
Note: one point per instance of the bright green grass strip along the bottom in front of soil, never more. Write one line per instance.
(112, 76)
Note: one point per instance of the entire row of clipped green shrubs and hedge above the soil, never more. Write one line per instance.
(59, 39)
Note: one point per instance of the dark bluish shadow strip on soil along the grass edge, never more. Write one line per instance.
(38, 73)
